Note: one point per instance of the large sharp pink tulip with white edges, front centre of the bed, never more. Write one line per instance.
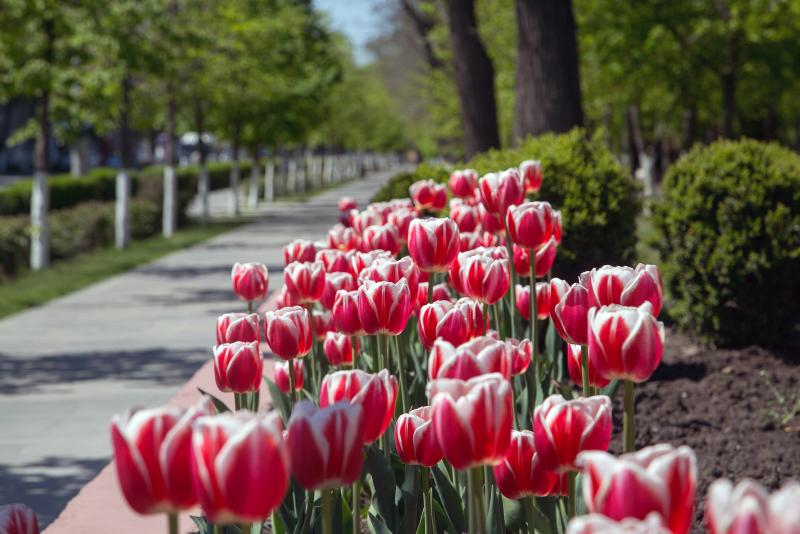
(472, 419)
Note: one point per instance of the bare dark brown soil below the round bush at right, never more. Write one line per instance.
(719, 403)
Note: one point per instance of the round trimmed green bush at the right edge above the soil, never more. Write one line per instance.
(727, 232)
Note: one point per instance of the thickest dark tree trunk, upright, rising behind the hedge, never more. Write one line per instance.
(548, 83)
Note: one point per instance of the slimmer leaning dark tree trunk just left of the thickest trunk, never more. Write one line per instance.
(474, 78)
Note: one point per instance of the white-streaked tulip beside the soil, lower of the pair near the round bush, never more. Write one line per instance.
(625, 343)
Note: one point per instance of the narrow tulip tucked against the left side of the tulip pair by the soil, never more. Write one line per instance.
(569, 309)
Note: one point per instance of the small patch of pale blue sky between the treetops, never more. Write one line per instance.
(360, 20)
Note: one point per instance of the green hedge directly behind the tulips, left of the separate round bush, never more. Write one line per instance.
(597, 198)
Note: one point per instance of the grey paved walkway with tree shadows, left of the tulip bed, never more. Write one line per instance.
(131, 340)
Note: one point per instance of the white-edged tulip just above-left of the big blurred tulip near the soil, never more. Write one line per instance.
(565, 428)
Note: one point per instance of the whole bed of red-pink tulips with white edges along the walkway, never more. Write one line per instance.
(408, 397)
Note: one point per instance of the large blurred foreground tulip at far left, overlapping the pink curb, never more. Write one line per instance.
(151, 451)
